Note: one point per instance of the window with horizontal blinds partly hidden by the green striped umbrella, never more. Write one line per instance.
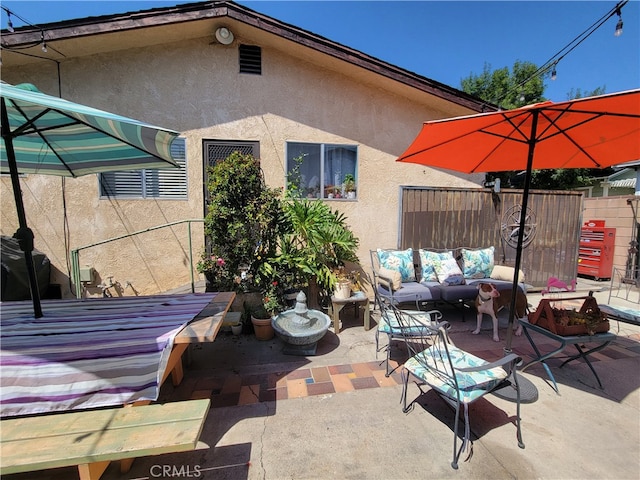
(168, 183)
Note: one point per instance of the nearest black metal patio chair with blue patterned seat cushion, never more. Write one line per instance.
(457, 376)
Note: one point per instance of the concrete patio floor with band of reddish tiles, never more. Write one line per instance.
(335, 415)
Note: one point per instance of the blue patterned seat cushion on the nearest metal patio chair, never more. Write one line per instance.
(428, 363)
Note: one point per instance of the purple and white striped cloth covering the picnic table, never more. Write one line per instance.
(88, 353)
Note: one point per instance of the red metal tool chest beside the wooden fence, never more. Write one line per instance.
(595, 252)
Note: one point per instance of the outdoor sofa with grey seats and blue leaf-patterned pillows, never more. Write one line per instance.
(429, 276)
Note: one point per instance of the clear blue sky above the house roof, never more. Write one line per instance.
(444, 41)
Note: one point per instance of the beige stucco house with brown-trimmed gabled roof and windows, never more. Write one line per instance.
(226, 77)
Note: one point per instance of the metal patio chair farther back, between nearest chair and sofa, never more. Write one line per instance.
(389, 326)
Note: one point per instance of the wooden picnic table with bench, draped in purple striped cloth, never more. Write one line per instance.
(179, 425)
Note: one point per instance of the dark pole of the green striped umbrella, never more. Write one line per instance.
(24, 233)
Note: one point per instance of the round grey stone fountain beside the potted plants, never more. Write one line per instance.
(301, 328)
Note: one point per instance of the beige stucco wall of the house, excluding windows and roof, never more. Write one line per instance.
(193, 87)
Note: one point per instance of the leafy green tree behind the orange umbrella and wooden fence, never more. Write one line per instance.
(522, 86)
